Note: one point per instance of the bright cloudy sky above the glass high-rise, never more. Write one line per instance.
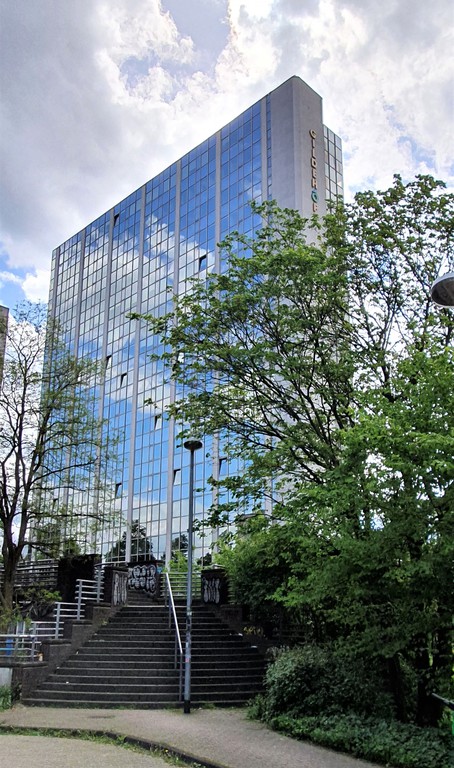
(98, 96)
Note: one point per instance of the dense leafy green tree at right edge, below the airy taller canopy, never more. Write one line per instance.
(388, 589)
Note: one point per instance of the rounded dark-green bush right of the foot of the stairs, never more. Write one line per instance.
(310, 680)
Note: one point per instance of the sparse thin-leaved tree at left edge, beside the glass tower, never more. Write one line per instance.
(46, 412)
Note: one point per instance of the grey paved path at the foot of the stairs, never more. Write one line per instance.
(215, 738)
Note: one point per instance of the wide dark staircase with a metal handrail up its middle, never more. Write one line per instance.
(129, 662)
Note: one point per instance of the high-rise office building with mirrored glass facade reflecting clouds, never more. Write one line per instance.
(126, 260)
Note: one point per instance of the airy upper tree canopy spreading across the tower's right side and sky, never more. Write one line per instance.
(279, 353)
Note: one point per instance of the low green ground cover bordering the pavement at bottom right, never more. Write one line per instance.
(387, 743)
